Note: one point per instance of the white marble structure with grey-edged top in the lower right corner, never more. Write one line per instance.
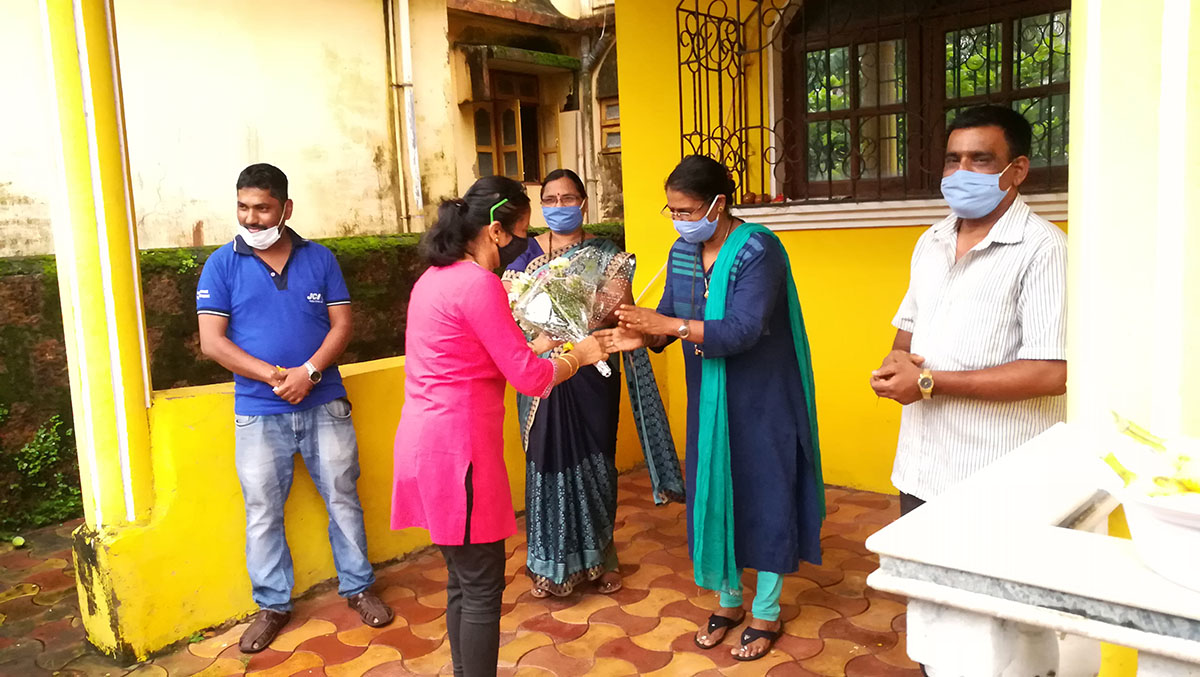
(1006, 573)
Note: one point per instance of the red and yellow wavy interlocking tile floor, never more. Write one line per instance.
(836, 625)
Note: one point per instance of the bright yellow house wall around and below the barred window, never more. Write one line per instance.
(850, 281)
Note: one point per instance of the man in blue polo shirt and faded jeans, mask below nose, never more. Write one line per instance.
(275, 311)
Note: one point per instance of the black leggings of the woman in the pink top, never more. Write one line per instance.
(475, 592)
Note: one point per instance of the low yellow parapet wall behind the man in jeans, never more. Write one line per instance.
(189, 556)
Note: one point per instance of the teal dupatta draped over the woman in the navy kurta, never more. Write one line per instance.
(713, 558)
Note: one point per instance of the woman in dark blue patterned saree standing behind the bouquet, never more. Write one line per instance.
(571, 436)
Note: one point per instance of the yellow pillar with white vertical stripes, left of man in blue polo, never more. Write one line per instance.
(97, 251)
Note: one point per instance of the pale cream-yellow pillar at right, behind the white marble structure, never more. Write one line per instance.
(1135, 262)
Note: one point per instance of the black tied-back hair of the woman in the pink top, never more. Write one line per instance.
(460, 220)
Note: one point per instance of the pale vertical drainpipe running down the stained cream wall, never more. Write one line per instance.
(401, 75)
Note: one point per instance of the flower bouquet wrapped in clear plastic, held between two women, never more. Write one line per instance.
(572, 297)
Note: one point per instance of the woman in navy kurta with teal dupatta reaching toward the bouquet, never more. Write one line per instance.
(755, 495)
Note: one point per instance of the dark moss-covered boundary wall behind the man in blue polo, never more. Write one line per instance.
(37, 457)
